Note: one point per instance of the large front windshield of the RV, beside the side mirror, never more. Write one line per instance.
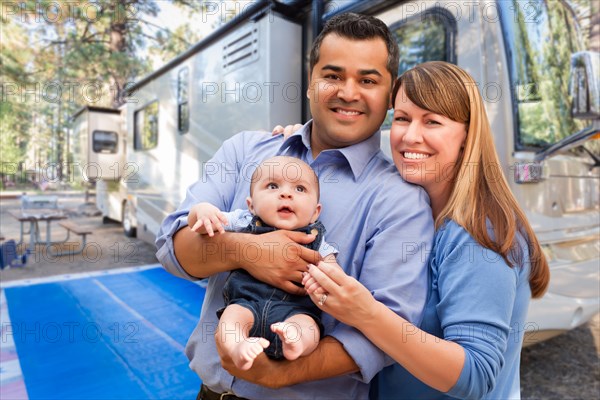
(540, 38)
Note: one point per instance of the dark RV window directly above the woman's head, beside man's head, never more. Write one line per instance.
(425, 37)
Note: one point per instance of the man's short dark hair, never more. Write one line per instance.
(358, 27)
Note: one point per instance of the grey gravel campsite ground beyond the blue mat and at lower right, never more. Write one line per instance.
(565, 367)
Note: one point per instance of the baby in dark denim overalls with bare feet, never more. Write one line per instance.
(284, 194)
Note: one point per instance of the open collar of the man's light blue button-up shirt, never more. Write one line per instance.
(357, 155)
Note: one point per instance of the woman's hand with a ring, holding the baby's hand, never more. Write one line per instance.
(338, 294)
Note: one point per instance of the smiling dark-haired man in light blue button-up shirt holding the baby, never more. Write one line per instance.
(381, 225)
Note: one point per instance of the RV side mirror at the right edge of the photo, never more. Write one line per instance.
(585, 84)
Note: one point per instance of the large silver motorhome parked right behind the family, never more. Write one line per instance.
(542, 97)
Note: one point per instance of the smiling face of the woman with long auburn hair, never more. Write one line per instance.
(425, 145)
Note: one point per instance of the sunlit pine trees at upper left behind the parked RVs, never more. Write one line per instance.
(59, 55)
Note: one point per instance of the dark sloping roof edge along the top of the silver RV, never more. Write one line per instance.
(255, 12)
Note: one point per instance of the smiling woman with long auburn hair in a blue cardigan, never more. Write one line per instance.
(485, 265)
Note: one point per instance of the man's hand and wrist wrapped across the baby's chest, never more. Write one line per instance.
(278, 258)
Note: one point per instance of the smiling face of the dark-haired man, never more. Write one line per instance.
(349, 91)
